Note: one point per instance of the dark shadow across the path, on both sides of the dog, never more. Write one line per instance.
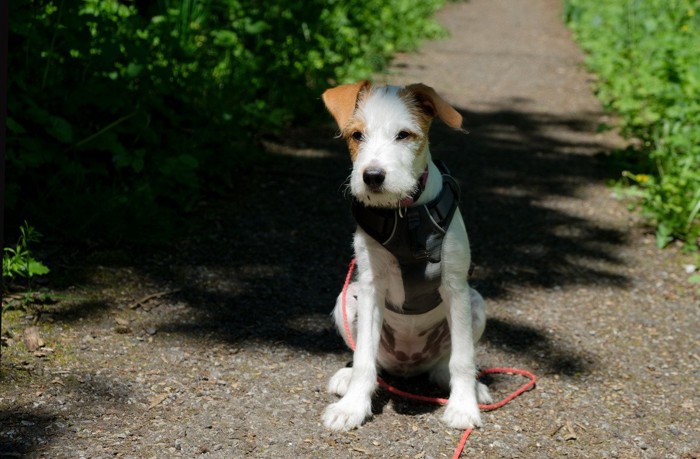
(267, 264)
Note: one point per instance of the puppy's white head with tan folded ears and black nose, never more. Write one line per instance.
(386, 129)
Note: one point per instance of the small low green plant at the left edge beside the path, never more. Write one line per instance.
(19, 261)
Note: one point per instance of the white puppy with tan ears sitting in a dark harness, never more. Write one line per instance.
(410, 307)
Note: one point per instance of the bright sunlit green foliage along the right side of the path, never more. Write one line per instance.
(647, 56)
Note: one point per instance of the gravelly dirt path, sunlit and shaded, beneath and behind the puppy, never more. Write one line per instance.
(233, 358)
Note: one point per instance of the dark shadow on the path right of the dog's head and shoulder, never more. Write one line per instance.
(521, 173)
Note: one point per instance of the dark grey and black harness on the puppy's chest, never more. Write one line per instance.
(414, 236)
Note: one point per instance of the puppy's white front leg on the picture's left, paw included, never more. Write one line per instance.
(356, 405)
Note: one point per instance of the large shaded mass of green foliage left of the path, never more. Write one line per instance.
(120, 108)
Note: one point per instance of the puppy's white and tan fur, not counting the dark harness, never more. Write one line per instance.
(387, 130)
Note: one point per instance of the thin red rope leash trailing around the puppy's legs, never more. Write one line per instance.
(532, 379)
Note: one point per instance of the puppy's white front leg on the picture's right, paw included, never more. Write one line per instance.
(462, 410)
